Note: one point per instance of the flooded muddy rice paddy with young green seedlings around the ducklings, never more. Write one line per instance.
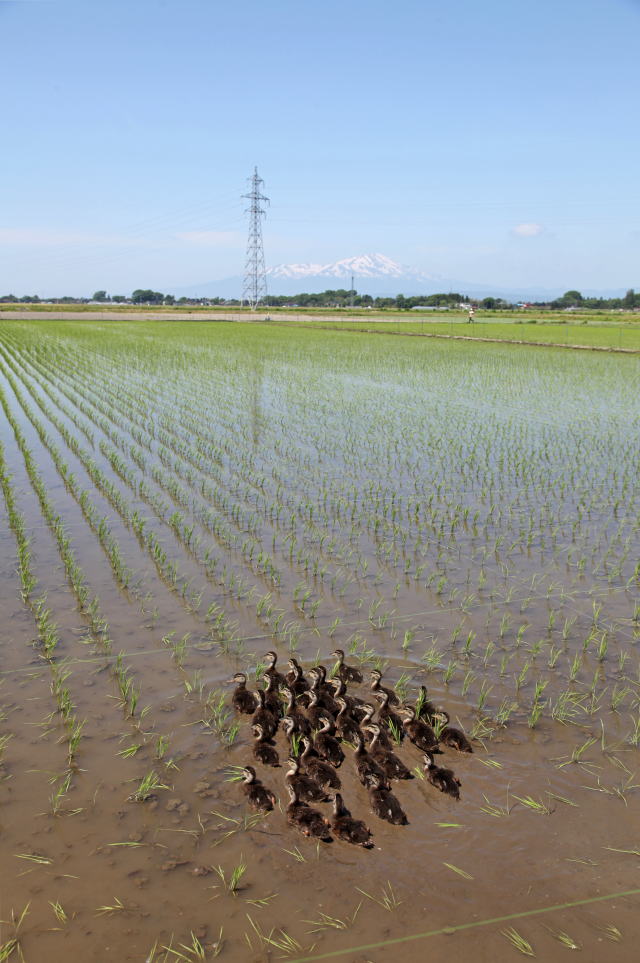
(180, 498)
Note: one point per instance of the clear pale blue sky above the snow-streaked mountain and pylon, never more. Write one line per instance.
(495, 142)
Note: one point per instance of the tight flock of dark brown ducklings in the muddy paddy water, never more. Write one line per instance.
(317, 714)
